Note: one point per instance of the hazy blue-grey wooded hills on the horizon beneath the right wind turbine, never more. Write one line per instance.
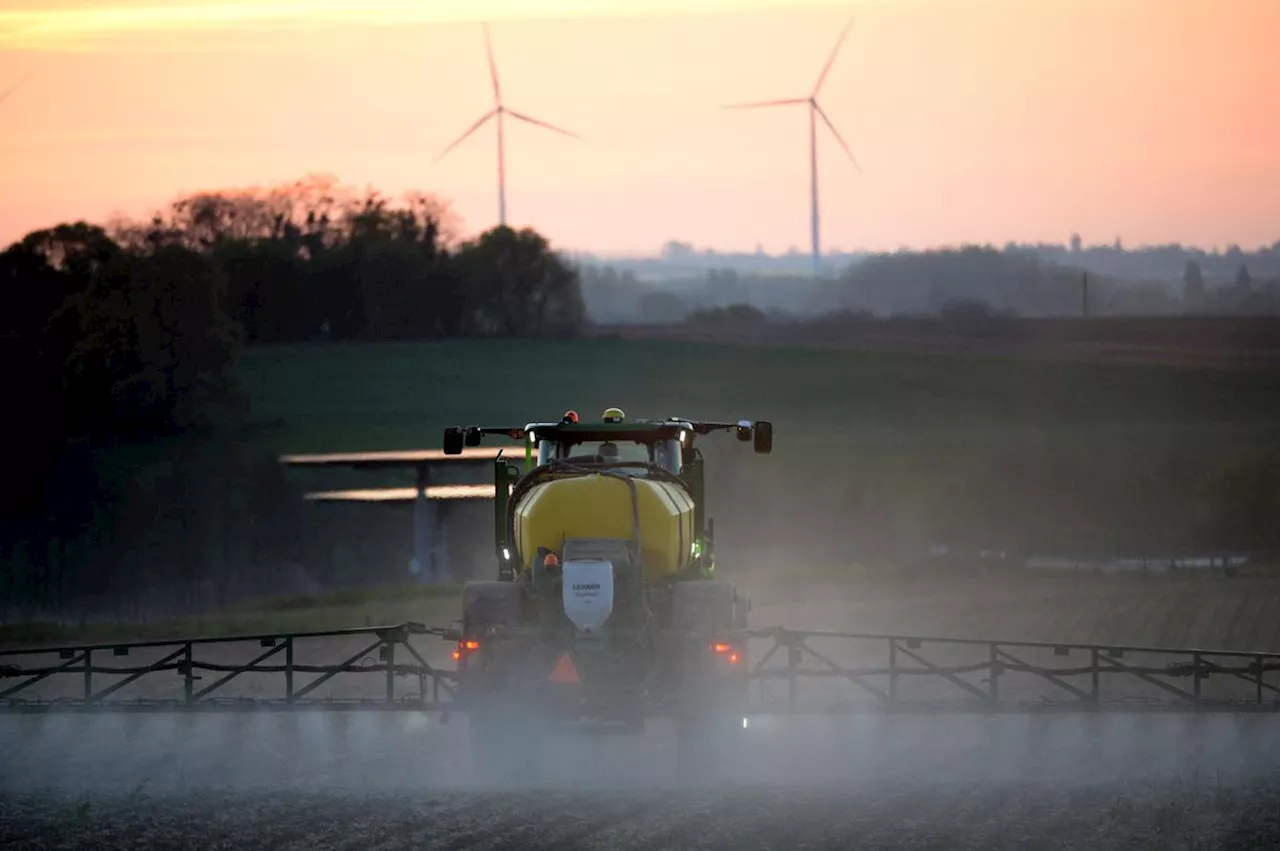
(1027, 281)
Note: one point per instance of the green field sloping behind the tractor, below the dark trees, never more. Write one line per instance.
(876, 454)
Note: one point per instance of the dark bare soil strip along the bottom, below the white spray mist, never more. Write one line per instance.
(1117, 817)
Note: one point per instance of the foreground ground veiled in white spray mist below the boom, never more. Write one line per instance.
(404, 781)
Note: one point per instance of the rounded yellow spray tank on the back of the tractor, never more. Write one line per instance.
(660, 514)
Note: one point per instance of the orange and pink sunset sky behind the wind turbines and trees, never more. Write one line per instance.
(973, 120)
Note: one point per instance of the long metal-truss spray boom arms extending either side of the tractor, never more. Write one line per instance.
(1220, 680)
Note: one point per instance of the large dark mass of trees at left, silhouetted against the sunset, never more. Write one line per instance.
(127, 335)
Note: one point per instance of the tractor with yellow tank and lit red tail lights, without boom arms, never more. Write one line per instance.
(606, 608)
